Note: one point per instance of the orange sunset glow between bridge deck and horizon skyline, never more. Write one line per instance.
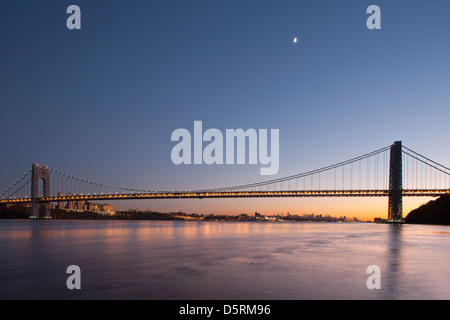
(363, 208)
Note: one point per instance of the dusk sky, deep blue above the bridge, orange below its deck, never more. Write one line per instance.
(101, 102)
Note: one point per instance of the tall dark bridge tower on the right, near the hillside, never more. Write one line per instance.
(395, 207)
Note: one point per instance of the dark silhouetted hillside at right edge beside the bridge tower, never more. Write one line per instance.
(434, 212)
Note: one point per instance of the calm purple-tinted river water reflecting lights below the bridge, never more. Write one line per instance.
(180, 260)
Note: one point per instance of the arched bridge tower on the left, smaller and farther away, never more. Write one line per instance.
(39, 172)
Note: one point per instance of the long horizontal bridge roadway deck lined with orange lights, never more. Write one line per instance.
(233, 194)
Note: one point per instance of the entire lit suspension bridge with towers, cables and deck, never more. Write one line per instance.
(394, 172)
